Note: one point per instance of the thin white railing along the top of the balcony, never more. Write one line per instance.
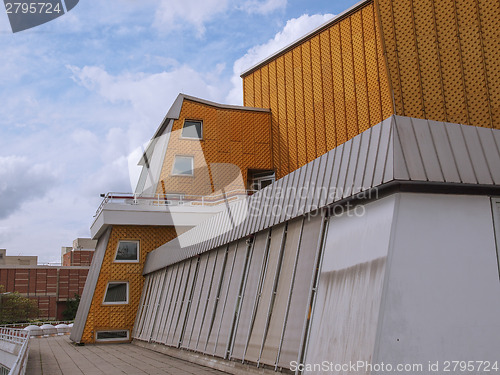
(173, 199)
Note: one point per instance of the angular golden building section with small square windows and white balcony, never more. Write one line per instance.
(203, 157)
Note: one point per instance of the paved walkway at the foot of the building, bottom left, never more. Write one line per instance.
(56, 355)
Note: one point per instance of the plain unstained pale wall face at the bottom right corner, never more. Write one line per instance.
(441, 300)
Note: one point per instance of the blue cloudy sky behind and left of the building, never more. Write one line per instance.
(81, 93)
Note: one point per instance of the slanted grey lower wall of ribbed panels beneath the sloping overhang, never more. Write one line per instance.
(239, 301)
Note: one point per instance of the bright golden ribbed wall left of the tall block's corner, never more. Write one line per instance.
(325, 90)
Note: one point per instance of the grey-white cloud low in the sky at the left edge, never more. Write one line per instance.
(22, 180)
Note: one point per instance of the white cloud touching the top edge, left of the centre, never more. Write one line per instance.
(185, 14)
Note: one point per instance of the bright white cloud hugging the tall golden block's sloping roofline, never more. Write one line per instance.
(293, 30)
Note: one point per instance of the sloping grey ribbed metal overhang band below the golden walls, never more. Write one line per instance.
(397, 149)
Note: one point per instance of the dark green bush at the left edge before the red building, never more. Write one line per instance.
(15, 308)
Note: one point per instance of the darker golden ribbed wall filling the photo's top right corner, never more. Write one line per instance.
(442, 58)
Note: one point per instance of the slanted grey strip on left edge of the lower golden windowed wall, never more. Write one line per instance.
(89, 288)
